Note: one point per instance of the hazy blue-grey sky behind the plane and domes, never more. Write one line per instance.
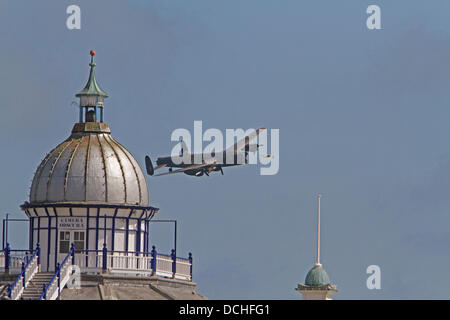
(363, 118)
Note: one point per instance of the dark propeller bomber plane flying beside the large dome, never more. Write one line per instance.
(207, 166)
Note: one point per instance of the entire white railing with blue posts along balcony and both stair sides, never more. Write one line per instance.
(152, 263)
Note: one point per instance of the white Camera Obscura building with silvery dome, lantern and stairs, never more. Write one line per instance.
(89, 207)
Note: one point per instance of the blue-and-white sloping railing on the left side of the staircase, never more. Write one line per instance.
(28, 271)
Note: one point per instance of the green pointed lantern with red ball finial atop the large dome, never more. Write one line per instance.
(91, 97)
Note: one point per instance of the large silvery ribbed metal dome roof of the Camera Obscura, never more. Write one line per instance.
(90, 167)
